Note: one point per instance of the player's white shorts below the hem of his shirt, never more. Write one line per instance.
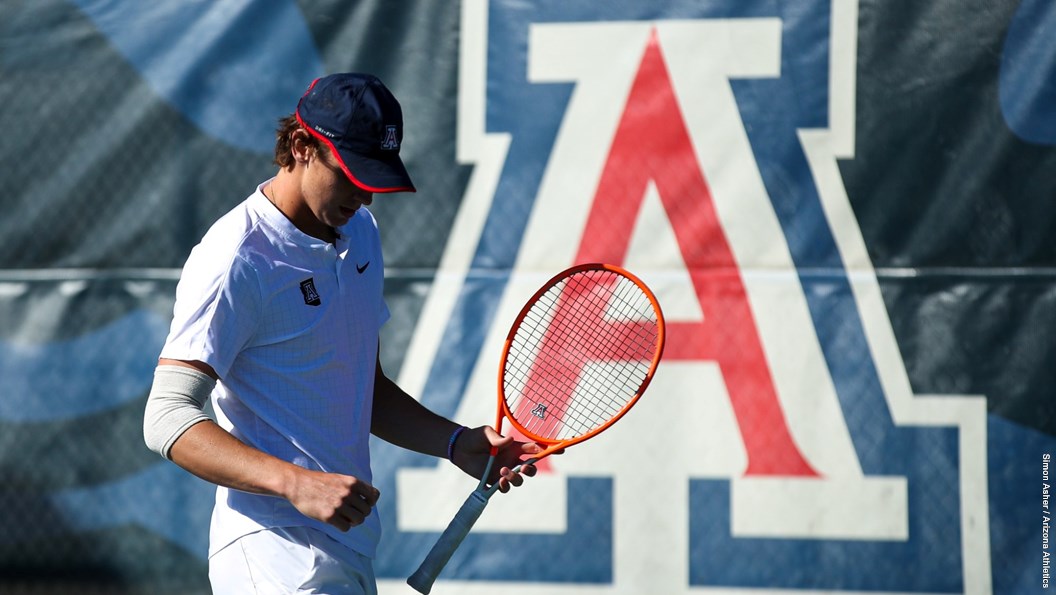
(287, 561)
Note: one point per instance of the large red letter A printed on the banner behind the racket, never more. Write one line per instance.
(652, 144)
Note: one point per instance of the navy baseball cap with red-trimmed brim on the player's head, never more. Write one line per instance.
(362, 123)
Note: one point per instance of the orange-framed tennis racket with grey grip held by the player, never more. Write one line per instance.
(578, 358)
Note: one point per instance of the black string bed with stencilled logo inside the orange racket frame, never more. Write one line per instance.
(580, 355)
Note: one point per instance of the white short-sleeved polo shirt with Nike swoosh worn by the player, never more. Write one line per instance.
(291, 325)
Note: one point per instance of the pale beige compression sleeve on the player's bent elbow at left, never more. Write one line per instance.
(175, 404)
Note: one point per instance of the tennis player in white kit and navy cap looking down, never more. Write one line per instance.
(277, 320)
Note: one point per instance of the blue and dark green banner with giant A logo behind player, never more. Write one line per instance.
(846, 209)
